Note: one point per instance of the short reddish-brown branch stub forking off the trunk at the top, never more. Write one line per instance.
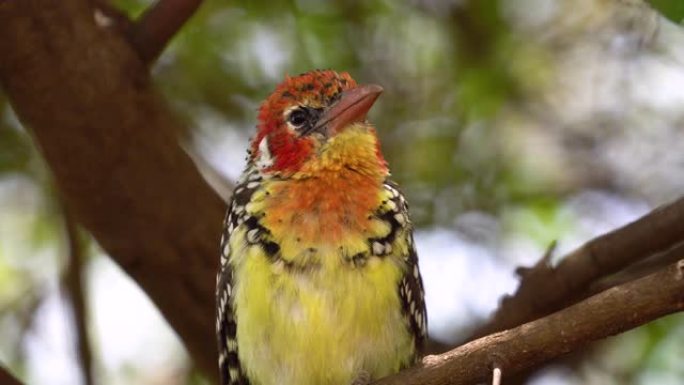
(158, 24)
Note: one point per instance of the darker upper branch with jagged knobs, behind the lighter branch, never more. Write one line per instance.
(545, 289)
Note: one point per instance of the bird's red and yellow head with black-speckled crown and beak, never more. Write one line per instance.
(317, 121)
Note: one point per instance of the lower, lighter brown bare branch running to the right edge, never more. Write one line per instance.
(611, 312)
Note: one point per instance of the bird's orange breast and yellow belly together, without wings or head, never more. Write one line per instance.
(310, 314)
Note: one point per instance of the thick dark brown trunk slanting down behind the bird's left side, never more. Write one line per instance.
(110, 141)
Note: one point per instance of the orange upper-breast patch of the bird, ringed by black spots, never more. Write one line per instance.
(321, 220)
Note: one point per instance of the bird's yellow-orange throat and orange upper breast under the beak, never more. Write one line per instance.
(332, 193)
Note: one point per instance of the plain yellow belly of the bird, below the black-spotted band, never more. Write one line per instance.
(320, 326)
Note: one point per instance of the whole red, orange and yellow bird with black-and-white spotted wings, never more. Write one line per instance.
(318, 282)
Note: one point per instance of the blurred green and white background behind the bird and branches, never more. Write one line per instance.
(508, 123)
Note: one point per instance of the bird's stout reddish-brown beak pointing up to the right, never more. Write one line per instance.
(352, 107)
